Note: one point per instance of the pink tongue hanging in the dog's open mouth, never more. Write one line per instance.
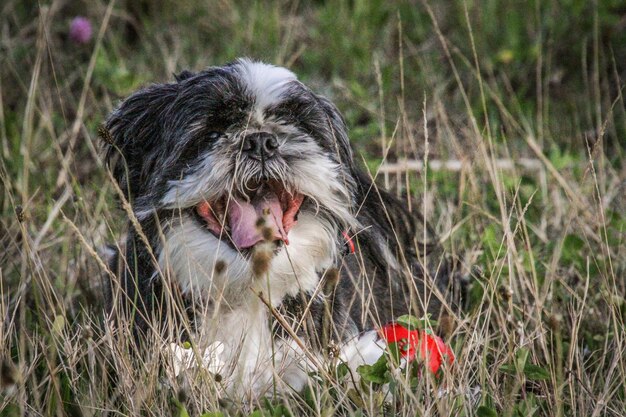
(243, 218)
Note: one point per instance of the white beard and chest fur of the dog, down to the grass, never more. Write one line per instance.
(232, 312)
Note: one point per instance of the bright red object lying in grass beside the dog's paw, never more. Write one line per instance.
(432, 349)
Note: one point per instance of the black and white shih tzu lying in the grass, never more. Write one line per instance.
(253, 227)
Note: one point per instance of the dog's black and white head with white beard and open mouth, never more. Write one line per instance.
(230, 159)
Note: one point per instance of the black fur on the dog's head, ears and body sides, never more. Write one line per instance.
(154, 143)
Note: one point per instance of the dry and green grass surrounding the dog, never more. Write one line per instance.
(468, 82)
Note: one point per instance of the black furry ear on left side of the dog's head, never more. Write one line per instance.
(132, 132)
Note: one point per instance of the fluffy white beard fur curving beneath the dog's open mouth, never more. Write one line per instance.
(190, 254)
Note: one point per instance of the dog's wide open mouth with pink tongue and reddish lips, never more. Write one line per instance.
(267, 212)
